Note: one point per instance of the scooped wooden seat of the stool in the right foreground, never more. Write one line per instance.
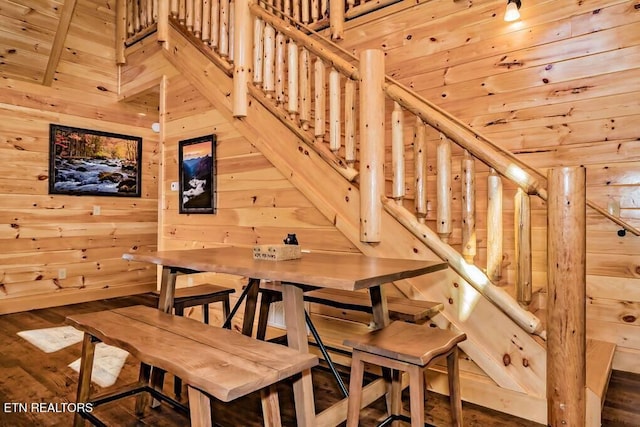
(408, 342)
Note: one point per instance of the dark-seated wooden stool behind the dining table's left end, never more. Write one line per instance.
(192, 296)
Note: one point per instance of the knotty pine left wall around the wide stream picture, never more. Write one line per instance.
(42, 234)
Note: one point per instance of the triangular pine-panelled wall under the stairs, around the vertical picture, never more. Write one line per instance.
(256, 204)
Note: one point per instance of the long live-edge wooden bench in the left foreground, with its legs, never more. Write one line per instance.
(212, 361)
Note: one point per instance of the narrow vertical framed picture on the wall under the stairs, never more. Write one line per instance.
(197, 175)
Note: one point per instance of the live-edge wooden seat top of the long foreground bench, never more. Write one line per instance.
(219, 362)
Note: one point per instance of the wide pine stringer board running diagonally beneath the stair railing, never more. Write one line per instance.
(492, 336)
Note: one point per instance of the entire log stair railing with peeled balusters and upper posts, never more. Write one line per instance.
(312, 86)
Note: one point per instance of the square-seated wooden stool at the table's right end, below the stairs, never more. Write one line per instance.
(410, 348)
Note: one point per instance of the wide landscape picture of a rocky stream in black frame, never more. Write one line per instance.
(94, 163)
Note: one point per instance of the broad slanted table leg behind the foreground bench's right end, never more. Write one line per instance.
(297, 338)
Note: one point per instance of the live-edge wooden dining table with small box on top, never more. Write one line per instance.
(321, 270)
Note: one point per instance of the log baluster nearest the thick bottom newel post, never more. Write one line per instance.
(522, 222)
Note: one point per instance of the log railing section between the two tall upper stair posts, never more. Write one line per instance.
(311, 89)
